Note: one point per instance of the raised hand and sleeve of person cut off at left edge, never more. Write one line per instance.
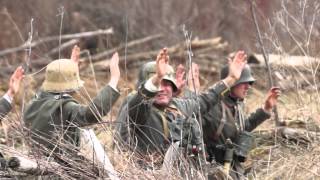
(14, 85)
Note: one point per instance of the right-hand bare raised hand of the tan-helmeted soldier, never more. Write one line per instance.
(114, 70)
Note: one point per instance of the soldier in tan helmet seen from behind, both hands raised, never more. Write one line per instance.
(53, 116)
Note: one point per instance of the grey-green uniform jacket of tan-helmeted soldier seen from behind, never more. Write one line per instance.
(50, 116)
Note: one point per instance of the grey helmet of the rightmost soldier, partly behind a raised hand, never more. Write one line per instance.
(246, 75)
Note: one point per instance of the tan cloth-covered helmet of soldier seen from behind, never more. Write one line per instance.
(62, 75)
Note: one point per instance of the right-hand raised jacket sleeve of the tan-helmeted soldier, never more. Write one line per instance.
(84, 115)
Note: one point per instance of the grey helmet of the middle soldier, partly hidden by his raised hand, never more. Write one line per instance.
(149, 69)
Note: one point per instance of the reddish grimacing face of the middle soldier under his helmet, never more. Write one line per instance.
(164, 96)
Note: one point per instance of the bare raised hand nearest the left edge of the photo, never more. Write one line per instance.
(15, 80)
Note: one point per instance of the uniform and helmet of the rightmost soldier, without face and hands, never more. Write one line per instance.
(225, 119)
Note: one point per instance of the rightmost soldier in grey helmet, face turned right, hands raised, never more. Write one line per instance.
(226, 129)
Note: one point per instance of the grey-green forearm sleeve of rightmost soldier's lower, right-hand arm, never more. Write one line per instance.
(256, 118)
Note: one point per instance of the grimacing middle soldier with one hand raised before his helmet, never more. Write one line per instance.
(156, 118)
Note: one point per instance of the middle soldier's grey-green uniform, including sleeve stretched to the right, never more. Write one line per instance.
(152, 128)
